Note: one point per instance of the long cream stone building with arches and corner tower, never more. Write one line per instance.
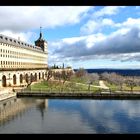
(20, 62)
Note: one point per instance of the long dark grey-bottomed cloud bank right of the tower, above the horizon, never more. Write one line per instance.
(117, 46)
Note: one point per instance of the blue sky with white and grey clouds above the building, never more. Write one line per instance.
(79, 36)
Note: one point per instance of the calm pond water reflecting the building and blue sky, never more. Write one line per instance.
(32, 115)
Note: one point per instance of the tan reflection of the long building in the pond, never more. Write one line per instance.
(13, 107)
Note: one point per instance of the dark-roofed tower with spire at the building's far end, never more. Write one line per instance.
(41, 42)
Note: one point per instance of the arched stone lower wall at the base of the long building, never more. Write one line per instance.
(19, 78)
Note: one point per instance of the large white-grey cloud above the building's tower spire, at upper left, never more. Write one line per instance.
(21, 18)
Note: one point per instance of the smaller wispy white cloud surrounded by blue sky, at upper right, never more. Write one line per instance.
(97, 21)
